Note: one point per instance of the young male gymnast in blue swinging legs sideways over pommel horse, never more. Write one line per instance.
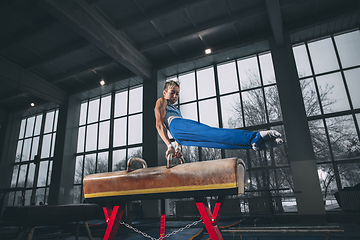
(187, 132)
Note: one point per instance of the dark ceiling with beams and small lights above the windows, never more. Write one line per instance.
(51, 49)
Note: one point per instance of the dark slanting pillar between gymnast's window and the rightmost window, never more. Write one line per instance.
(300, 151)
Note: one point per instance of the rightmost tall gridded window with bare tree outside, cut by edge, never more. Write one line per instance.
(329, 71)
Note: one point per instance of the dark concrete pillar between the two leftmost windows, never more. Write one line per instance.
(62, 177)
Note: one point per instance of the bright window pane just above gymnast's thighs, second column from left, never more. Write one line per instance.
(208, 112)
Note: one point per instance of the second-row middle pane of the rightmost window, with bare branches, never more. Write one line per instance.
(332, 92)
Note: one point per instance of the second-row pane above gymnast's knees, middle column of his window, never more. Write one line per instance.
(231, 111)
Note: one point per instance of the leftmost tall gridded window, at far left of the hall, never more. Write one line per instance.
(33, 161)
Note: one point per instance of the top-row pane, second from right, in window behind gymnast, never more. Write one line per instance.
(249, 73)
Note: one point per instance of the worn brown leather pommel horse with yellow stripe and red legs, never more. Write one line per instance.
(199, 179)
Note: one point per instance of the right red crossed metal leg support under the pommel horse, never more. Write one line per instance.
(210, 219)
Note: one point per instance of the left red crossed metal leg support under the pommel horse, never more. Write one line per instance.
(113, 217)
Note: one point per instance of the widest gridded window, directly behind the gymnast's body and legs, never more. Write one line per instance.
(241, 94)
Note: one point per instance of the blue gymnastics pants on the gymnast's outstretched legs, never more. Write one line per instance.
(191, 133)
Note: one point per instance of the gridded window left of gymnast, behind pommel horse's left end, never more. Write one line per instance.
(110, 132)
